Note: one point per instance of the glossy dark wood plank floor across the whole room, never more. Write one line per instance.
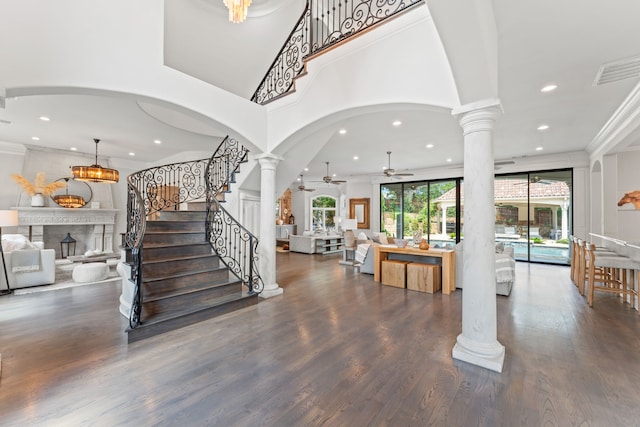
(336, 349)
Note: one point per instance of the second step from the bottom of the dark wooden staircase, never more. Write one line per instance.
(183, 299)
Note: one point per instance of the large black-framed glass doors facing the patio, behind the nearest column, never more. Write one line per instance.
(532, 213)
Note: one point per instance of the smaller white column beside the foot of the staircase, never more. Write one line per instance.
(267, 249)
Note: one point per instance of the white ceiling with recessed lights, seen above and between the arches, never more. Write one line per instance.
(539, 42)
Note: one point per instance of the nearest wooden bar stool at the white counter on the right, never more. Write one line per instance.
(611, 271)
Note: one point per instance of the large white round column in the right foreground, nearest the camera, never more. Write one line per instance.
(478, 343)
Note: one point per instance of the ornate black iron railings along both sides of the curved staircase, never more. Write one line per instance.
(167, 187)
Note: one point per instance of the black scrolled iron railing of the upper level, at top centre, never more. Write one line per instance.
(323, 24)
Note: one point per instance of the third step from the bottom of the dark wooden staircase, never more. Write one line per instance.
(170, 285)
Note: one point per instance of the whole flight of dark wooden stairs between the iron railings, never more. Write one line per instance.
(183, 280)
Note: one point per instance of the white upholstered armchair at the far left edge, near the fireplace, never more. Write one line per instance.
(44, 275)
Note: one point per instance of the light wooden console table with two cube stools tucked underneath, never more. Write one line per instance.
(448, 262)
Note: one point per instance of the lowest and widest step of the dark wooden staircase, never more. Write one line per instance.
(224, 305)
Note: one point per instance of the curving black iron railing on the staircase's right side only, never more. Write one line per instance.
(236, 246)
